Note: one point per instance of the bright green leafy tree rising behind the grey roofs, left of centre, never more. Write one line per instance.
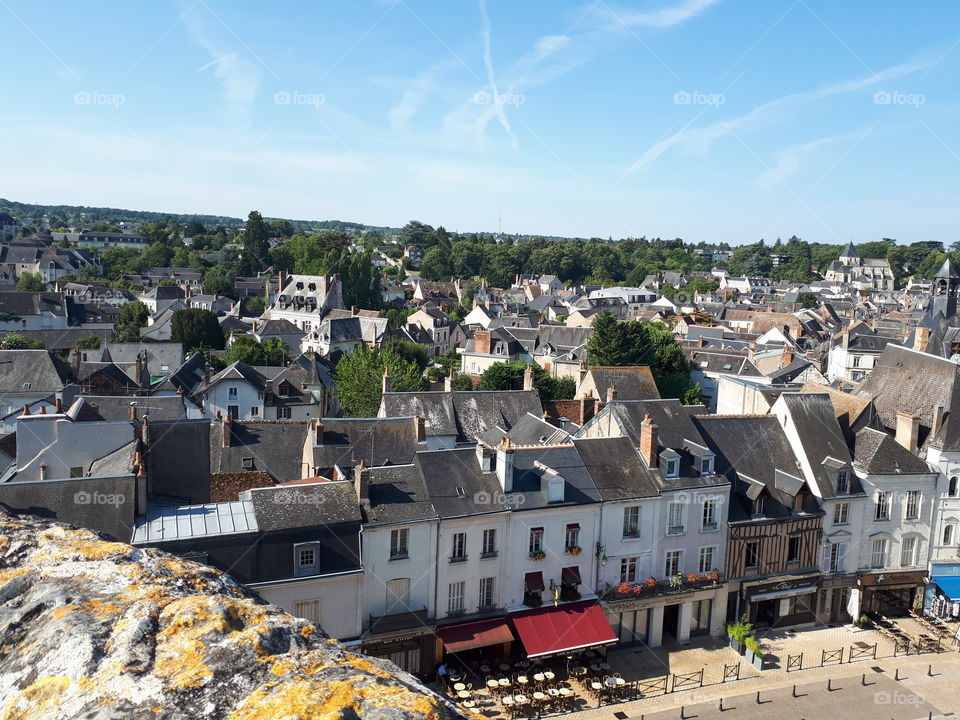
(359, 379)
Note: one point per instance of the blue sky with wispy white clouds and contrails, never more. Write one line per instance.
(714, 120)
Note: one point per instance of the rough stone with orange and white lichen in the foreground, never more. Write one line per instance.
(101, 630)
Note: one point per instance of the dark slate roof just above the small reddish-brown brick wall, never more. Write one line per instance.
(275, 447)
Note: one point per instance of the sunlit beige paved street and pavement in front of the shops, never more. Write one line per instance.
(866, 687)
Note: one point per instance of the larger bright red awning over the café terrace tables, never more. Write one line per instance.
(563, 629)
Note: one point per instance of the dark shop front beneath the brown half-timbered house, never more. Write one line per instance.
(783, 601)
